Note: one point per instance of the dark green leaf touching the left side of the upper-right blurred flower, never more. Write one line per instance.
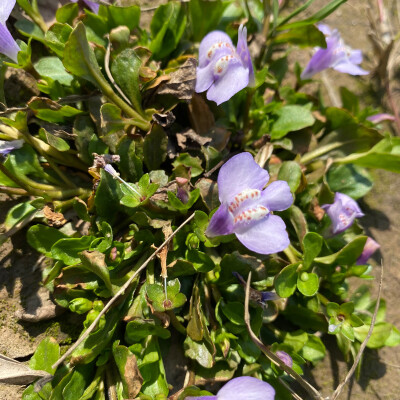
(308, 35)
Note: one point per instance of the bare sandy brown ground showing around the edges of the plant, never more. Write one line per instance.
(20, 287)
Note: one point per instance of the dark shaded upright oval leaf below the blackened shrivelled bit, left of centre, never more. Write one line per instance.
(155, 147)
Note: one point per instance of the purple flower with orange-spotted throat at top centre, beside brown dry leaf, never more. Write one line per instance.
(223, 70)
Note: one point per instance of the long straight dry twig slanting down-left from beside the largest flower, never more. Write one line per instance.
(118, 294)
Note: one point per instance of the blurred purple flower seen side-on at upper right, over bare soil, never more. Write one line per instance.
(337, 55)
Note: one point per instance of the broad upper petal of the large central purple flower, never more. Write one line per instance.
(239, 173)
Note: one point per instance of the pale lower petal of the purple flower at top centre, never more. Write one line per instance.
(235, 79)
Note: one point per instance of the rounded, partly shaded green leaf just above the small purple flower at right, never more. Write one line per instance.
(349, 179)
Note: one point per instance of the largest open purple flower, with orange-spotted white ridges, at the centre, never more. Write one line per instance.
(245, 208)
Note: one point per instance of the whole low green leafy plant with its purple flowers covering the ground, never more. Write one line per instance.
(137, 131)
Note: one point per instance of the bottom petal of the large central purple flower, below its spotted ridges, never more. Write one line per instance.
(265, 236)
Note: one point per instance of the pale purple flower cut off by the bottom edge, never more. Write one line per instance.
(242, 388)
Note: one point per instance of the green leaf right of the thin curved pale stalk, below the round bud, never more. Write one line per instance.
(125, 70)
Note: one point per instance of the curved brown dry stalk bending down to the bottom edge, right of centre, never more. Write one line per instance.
(272, 356)
